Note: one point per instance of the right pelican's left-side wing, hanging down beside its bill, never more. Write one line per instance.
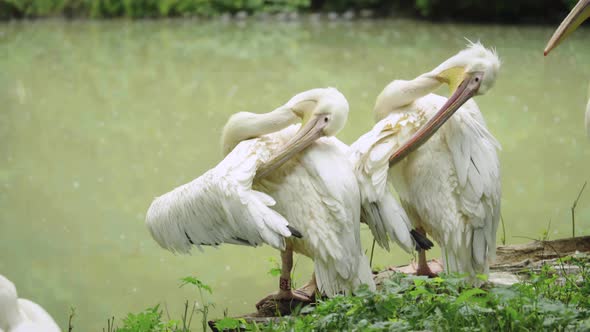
(370, 157)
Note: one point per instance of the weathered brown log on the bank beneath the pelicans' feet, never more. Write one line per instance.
(511, 262)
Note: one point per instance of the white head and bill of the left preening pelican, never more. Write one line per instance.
(323, 112)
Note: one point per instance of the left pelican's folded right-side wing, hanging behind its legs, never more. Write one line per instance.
(340, 264)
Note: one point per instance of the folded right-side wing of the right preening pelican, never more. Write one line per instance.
(474, 155)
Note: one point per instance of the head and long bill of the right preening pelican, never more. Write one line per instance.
(469, 73)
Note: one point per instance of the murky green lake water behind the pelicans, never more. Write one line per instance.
(97, 118)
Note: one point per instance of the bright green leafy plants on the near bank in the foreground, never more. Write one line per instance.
(546, 301)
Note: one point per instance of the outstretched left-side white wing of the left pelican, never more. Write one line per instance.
(219, 207)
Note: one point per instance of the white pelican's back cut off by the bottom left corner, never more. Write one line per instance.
(20, 315)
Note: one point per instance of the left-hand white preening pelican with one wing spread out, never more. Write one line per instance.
(314, 195)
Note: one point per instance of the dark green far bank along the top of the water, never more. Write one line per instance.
(460, 10)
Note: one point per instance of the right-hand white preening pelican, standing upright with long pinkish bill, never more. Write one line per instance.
(450, 186)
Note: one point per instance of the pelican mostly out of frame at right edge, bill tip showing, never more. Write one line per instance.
(576, 17)
